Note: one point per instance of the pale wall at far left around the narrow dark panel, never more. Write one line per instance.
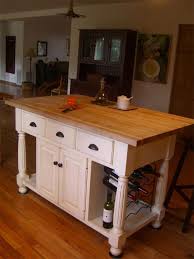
(12, 29)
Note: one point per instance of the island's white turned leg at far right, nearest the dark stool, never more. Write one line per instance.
(160, 194)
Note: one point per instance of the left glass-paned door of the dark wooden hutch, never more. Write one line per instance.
(92, 47)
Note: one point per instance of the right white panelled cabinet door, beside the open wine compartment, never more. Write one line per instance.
(72, 183)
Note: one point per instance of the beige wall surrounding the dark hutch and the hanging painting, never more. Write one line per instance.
(149, 16)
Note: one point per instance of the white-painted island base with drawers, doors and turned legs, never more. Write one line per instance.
(74, 183)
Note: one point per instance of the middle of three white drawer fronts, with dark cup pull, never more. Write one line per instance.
(60, 133)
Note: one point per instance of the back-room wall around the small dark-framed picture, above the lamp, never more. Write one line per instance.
(53, 29)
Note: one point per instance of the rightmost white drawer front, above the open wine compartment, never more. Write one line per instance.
(95, 146)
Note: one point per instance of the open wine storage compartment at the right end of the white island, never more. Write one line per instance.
(138, 213)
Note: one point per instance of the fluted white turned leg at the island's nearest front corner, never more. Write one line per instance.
(117, 238)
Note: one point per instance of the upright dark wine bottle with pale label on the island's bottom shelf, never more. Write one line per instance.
(108, 211)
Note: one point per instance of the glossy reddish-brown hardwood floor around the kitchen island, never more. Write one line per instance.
(31, 227)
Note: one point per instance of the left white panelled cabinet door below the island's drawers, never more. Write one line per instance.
(47, 170)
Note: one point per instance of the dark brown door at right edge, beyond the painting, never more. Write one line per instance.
(182, 98)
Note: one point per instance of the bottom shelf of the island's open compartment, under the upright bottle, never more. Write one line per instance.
(133, 222)
